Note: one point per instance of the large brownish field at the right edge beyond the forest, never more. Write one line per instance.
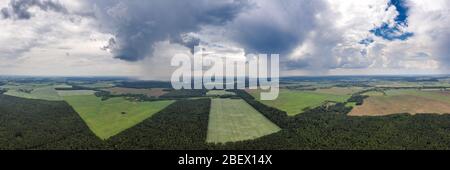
(411, 101)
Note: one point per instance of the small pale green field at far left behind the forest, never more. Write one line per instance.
(29, 92)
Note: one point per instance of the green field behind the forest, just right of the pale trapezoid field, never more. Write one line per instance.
(295, 101)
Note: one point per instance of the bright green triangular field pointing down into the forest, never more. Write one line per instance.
(110, 117)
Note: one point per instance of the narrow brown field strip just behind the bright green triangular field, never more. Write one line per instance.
(153, 92)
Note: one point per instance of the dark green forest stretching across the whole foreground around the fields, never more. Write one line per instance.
(38, 124)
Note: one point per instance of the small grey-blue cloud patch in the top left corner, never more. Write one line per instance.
(18, 9)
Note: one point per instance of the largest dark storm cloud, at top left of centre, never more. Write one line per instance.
(138, 24)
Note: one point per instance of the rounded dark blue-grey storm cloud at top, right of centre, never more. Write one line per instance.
(277, 26)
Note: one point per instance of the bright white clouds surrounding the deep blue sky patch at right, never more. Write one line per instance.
(336, 46)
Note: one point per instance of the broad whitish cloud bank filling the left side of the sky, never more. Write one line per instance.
(52, 43)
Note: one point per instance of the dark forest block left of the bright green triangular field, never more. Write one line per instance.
(39, 124)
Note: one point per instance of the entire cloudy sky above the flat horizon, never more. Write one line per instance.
(139, 37)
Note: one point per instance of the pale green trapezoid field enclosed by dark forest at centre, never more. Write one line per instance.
(235, 120)
